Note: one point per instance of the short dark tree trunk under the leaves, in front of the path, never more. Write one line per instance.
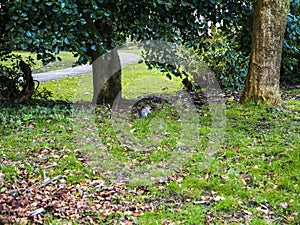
(107, 78)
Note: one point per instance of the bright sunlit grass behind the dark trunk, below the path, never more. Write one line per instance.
(136, 81)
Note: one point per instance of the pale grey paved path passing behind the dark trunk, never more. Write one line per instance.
(125, 58)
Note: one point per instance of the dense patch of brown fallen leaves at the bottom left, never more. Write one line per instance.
(34, 198)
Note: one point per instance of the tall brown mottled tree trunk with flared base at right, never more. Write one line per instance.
(262, 83)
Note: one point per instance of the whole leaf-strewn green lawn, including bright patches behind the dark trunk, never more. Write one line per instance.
(63, 165)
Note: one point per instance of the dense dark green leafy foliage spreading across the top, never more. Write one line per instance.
(90, 28)
